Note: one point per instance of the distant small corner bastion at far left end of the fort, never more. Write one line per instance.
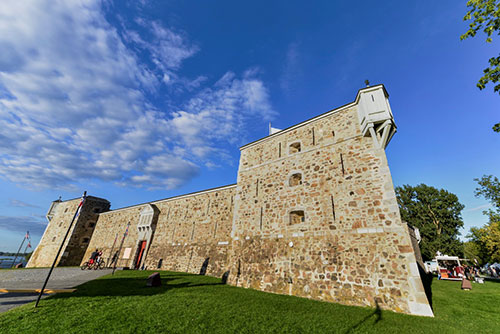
(78, 238)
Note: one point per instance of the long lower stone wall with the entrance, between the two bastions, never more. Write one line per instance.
(189, 230)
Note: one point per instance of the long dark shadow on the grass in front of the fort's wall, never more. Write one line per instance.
(127, 286)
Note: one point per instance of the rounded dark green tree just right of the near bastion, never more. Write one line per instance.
(437, 214)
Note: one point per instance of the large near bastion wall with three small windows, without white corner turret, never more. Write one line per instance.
(351, 246)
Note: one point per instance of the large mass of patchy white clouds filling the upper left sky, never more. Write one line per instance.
(75, 100)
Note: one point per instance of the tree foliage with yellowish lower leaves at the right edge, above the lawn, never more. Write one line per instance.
(486, 239)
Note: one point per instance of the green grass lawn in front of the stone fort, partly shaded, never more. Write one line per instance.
(199, 304)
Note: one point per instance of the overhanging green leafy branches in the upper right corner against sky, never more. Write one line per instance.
(485, 16)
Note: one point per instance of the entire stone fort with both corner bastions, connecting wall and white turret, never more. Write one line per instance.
(313, 214)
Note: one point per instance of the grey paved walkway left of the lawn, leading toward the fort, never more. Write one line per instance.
(61, 278)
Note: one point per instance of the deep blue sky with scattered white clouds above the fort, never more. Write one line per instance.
(140, 100)
